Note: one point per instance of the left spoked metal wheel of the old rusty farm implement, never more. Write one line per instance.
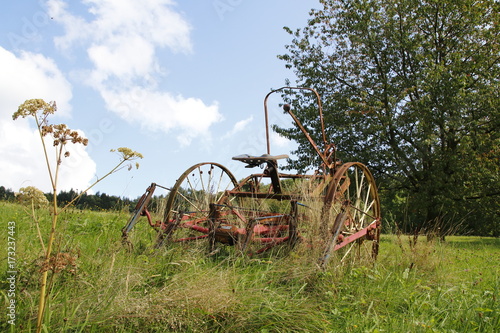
(187, 209)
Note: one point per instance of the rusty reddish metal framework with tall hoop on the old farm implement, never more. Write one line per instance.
(333, 173)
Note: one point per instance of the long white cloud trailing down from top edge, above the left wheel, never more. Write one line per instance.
(122, 39)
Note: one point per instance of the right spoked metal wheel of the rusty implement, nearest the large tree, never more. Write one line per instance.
(351, 219)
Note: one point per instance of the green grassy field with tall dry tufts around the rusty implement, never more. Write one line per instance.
(450, 286)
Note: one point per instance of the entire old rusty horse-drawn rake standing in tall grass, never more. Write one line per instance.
(336, 207)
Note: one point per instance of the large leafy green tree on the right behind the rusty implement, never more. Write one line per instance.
(411, 88)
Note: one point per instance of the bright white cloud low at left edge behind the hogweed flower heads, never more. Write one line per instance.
(22, 163)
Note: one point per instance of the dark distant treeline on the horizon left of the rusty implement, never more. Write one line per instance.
(98, 201)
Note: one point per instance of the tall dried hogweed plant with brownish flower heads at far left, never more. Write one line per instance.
(61, 135)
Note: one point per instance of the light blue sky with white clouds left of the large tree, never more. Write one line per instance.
(181, 82)
